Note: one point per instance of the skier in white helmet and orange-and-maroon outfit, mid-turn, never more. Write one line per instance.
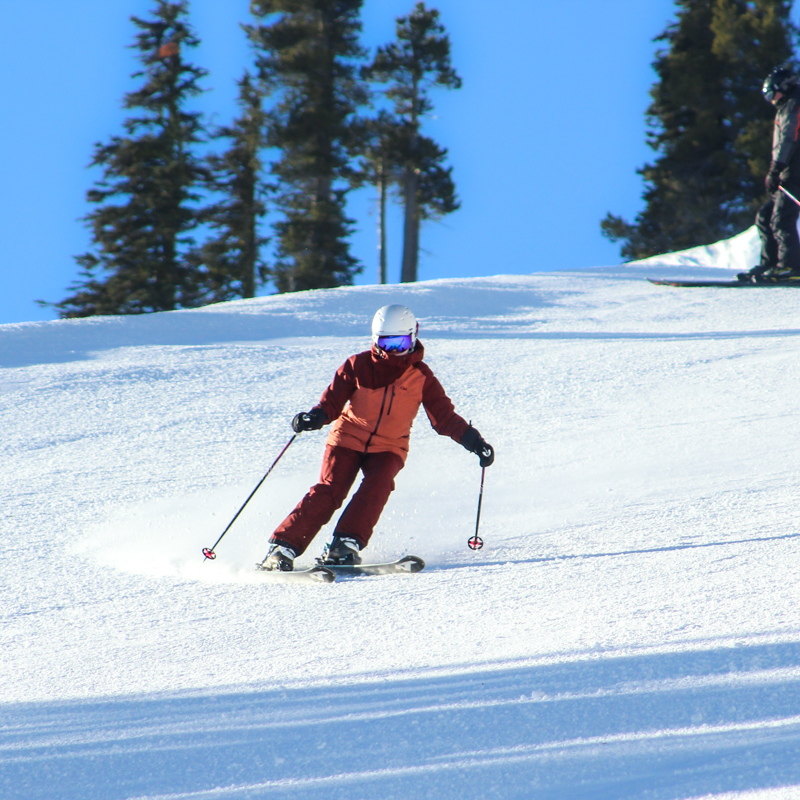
(385, 387)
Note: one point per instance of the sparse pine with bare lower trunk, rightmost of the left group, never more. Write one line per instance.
(411, 66)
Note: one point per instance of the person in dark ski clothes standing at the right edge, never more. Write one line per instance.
(777, 218)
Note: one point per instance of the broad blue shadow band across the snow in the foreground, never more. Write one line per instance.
(655, 725)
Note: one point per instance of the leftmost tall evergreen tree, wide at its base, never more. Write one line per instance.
(138, 260)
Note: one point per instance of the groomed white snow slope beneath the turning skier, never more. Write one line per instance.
(630, 630)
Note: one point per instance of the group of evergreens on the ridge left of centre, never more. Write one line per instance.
(174, 226)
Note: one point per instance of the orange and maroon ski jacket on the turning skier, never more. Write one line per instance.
(384, 394)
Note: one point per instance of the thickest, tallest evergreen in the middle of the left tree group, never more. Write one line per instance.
(308, 54)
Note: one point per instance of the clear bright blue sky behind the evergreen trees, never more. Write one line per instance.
(545, 135)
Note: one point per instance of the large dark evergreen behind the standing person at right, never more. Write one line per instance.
(709, 125)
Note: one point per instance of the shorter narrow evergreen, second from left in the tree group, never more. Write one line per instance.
(231, 260)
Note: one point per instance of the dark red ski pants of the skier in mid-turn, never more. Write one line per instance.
(340, 467)
